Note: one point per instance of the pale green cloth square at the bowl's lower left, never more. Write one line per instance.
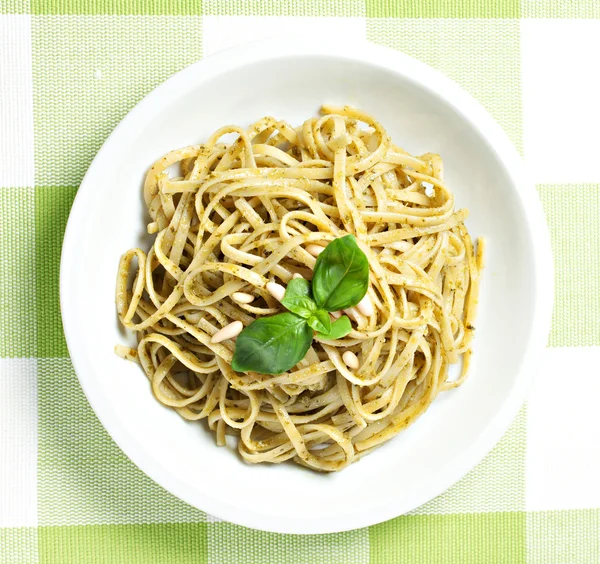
(83, 476)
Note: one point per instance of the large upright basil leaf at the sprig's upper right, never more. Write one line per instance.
(341, 275)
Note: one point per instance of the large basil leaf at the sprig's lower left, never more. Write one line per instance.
(272, 345)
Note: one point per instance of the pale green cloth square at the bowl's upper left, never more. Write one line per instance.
(88, 72)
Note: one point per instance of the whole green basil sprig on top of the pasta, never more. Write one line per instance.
(272, 345)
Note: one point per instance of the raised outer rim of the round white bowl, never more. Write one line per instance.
(470, 110)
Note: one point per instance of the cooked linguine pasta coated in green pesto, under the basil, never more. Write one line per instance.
(231, 217)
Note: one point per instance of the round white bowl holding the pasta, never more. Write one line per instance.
(424, 112)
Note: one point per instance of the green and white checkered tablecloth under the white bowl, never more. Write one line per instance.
(71, 69)
